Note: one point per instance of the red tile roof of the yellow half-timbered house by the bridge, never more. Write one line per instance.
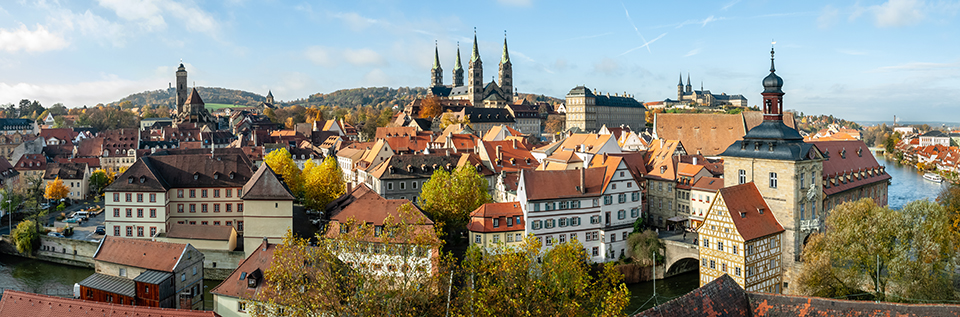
(744, 203)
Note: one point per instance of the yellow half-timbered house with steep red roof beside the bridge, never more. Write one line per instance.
(741, 237)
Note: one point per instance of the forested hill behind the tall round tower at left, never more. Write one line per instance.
(168, 97)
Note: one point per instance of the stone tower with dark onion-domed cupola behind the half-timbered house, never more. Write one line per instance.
(786, 170)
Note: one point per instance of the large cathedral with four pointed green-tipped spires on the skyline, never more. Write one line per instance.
(491, 95)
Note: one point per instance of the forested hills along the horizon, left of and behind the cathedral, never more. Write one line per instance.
(345, 98)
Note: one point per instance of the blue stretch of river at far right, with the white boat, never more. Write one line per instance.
(906, 184)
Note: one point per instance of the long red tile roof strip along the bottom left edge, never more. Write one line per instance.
(16, 304)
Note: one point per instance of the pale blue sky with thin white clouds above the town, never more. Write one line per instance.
(858, 60)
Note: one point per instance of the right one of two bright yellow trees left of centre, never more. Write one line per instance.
(322, 183)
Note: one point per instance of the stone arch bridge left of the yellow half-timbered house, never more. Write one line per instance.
(681, 254)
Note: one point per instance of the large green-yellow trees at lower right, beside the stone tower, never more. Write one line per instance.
(903, 255)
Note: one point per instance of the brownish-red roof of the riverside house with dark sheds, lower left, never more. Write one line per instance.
(152, 255)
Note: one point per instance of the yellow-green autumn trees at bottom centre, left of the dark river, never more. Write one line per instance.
(524, 280)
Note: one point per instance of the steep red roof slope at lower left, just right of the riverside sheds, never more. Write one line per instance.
(234, 286)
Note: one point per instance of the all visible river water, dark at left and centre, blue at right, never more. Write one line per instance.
(54, 279)
